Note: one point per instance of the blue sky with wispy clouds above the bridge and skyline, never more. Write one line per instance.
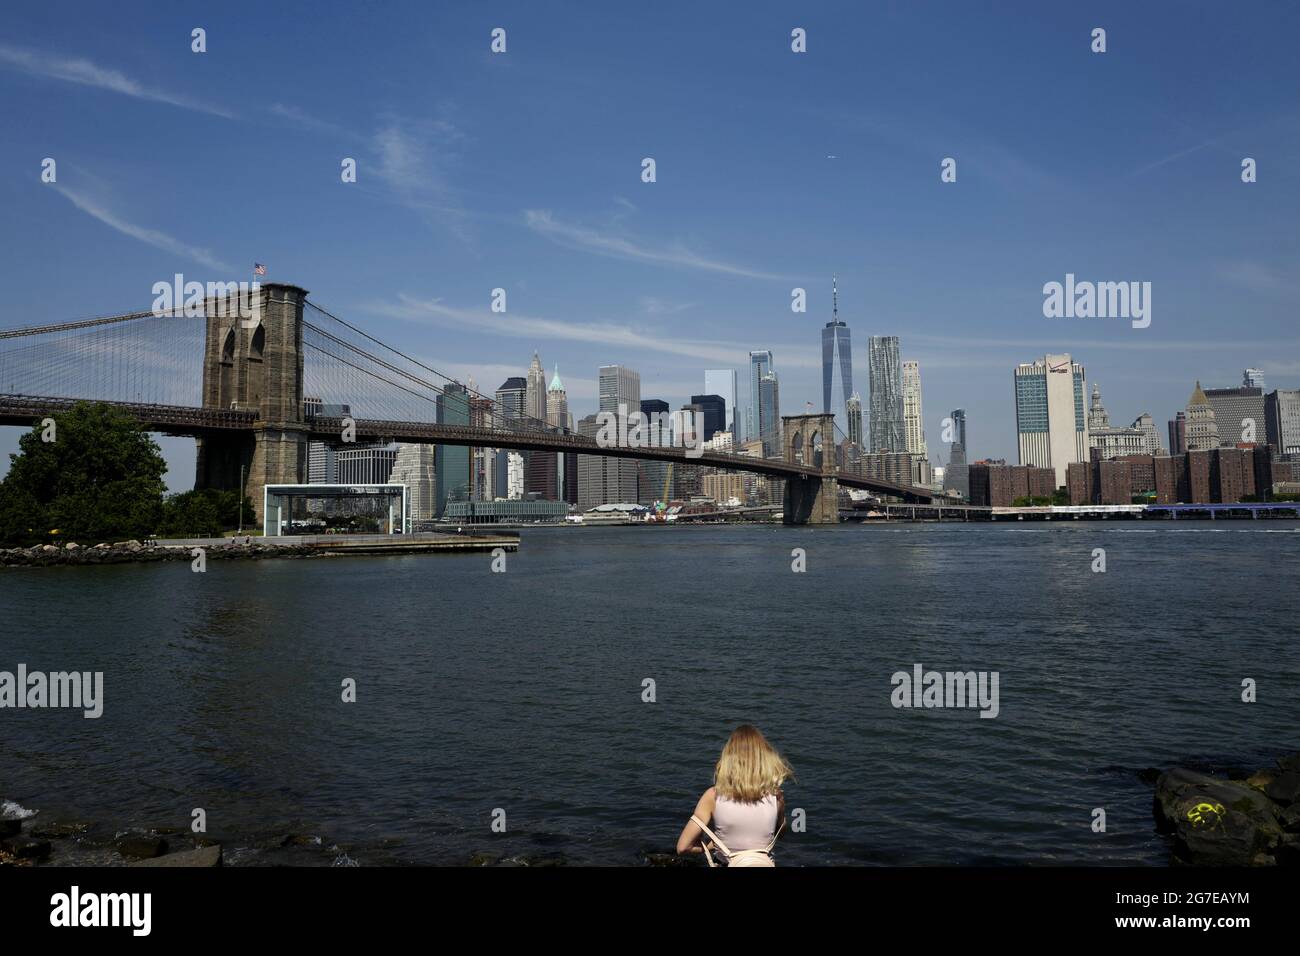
(775, 170)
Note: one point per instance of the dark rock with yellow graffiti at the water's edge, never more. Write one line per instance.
(1216, 823)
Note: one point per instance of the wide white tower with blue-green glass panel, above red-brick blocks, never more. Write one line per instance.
(1050, 417)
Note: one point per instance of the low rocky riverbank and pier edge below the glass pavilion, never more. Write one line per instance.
(252, 548)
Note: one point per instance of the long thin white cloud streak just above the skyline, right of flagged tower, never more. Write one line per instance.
(627, 338)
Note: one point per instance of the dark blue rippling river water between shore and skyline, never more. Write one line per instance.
(523, 693)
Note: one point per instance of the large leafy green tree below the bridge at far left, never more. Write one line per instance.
(101, 479)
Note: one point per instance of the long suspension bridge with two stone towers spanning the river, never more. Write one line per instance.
(237, 387)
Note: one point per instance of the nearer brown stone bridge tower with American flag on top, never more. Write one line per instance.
(253, 360)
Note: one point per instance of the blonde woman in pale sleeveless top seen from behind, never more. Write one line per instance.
(746, 804)
